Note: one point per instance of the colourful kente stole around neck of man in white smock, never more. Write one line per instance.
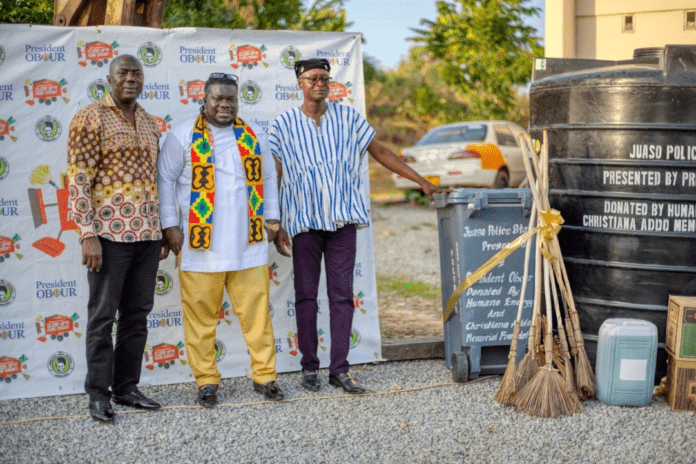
(203, 182)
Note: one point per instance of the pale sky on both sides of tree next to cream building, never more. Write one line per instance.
(386, 24)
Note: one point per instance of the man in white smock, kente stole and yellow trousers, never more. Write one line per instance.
(217, 171)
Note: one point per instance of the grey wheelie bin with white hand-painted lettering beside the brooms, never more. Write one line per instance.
(473, 225)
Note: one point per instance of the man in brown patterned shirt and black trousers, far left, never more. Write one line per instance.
(112, 156)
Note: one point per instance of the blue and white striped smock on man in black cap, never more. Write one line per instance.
(321, 187)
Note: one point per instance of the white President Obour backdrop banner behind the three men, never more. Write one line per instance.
(46, 75)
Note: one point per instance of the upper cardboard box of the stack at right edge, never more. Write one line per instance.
(680, 340)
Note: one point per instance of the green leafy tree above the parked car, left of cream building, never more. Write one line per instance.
(484, 48)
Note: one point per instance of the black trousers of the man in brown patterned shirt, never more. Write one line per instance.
(125, 283)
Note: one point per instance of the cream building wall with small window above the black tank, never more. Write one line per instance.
(593, 29)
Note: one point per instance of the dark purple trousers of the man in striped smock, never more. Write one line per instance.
(338, 249)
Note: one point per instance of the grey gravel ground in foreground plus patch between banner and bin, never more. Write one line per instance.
(414, 414)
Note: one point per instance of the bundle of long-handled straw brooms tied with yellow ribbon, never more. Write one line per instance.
(555, 373)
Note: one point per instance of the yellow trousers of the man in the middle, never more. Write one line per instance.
(201, 298)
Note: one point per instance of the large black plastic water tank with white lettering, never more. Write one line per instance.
(622, 169)
